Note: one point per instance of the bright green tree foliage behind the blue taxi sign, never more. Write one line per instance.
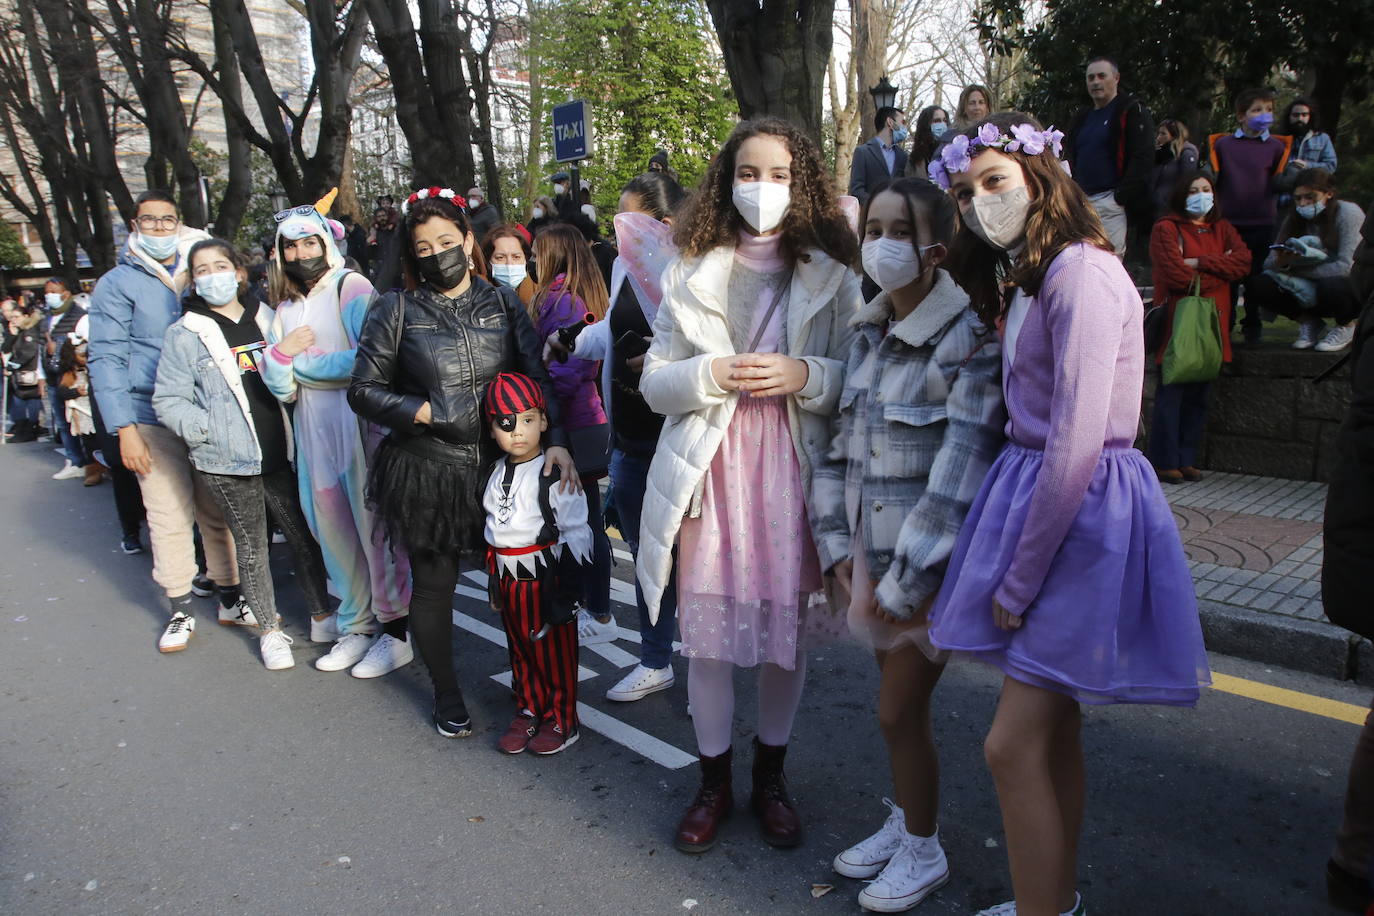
(653, 79)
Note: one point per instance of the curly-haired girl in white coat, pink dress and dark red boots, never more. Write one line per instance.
(747, 362)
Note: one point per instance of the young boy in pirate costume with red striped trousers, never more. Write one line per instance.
(538, 540)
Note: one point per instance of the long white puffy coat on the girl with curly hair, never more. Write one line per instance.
(692, 332)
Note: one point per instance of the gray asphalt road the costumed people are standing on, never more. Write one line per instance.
(201, 783)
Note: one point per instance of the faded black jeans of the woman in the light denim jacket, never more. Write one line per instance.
(247, 503)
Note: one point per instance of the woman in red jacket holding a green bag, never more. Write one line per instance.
(1191, 241)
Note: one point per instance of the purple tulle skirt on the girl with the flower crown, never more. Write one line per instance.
(1116, 620)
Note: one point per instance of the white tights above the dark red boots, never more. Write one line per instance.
(711, 690)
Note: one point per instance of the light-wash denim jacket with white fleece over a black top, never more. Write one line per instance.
(200, 389)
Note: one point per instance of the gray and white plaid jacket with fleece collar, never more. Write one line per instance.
(920, 422)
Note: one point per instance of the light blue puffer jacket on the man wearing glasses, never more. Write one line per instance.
(131, 311)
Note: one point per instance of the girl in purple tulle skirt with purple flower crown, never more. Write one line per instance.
(1068, 575)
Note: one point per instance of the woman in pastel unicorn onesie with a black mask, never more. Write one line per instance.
(311, 350)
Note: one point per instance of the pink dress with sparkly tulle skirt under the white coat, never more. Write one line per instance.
(748, 566)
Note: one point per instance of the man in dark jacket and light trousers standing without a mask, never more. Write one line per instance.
(1111, 148)
